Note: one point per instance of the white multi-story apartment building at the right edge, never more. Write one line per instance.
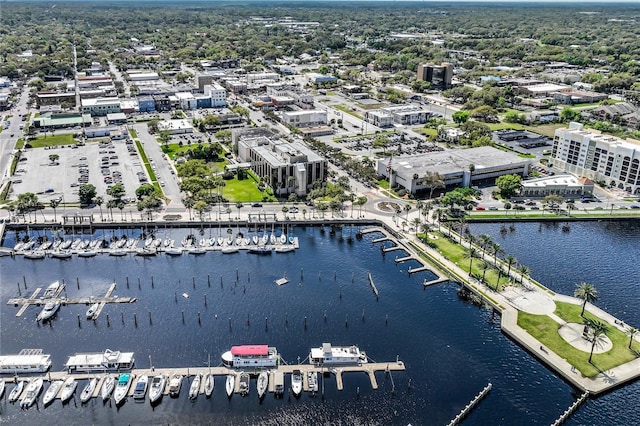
(599, 157)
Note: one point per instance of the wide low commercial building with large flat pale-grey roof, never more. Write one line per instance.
(460, 167)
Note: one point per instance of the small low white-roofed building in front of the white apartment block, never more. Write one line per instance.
(566, 186)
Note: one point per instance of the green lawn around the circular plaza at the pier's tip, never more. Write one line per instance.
(545, 329)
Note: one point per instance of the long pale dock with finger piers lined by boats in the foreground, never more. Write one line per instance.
(369, 368)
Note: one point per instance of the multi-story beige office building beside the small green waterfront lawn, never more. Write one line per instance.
(288, 167)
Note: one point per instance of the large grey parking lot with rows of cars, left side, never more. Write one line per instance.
(101, 164)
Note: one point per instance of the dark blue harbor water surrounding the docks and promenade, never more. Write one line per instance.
(451, 349)
